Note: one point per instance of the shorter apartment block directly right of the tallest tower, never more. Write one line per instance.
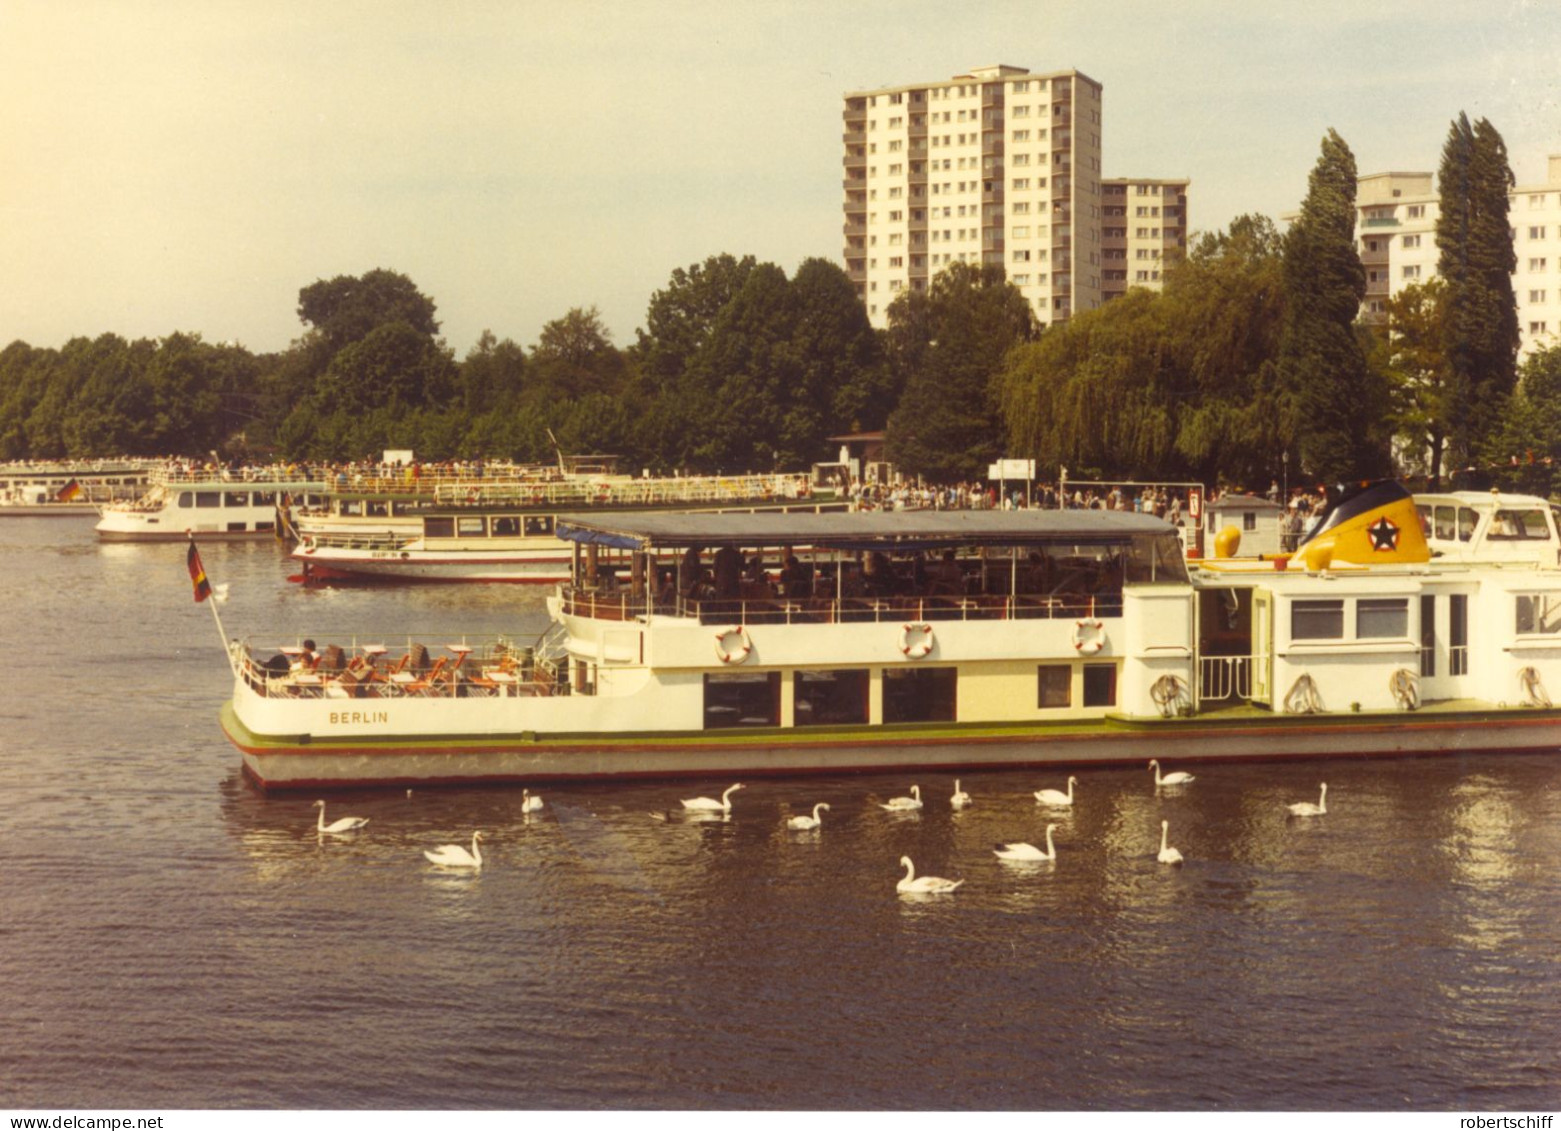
(1143, 229)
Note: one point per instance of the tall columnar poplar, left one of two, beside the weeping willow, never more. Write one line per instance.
(1328, 395)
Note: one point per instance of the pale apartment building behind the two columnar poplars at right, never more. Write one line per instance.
(1396, 235)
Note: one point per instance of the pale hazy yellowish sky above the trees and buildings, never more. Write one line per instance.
(171, 166)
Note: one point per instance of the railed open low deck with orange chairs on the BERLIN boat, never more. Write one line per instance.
(410, 670)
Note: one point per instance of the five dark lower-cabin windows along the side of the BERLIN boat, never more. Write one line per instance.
(836, 698)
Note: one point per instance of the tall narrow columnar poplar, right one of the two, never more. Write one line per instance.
(1476, 258)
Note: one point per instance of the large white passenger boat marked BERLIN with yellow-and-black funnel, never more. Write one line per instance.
(942, 640)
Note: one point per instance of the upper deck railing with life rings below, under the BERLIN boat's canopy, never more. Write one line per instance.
(842, 611)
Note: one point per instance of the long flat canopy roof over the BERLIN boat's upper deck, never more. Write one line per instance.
(877, 530)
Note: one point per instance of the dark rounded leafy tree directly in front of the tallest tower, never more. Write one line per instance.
(947, 347)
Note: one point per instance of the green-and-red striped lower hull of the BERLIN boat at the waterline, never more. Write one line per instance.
(279, 764)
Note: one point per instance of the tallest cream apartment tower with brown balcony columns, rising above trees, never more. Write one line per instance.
(997, 166)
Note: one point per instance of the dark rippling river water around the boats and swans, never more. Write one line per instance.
(169, 938)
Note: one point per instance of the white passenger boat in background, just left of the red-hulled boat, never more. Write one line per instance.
(215, 505)
